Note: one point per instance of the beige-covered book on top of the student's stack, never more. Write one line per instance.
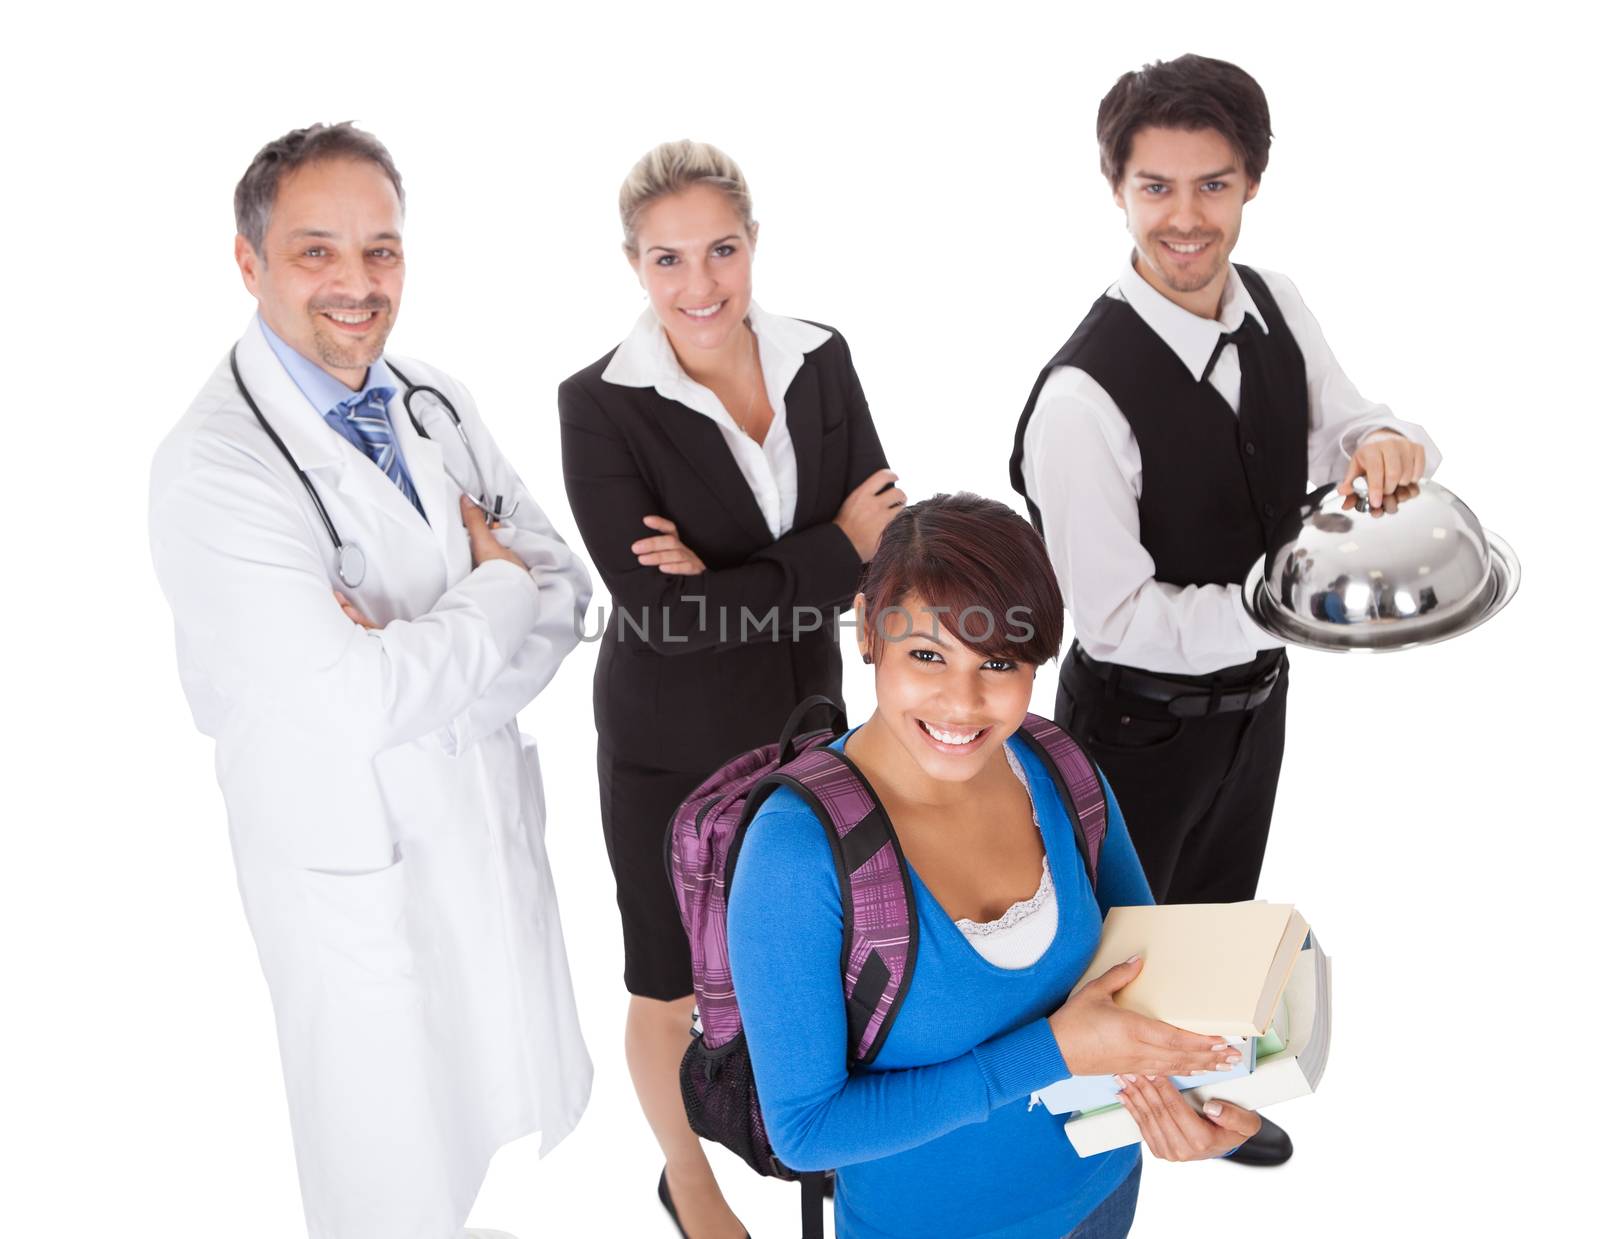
(1210, 968)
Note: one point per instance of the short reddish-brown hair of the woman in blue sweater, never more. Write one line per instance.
(978, 567)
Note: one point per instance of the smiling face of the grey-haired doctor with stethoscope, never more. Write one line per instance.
(332, 270)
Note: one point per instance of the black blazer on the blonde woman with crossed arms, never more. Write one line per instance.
(681, 683)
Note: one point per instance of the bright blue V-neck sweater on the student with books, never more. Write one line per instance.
(937, 1136)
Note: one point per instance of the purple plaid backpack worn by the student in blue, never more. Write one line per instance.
(881, 929)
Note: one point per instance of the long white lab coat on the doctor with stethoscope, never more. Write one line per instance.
(386, 816)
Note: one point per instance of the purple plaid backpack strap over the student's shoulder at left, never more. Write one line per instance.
(881, 928)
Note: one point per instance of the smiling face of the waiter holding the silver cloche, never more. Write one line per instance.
(1185, 194)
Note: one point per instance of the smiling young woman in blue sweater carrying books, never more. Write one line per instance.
(906, 1062)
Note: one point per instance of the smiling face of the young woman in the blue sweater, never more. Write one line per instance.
(946, 710)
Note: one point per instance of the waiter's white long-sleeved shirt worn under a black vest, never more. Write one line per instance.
(1081, 467)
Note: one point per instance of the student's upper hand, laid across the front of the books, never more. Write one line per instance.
(1098, 1038)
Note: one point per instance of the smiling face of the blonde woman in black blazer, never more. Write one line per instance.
(695, 265)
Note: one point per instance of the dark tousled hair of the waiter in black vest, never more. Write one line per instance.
(1190, 94)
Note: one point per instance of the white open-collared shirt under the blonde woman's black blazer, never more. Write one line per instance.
(646, 359)
